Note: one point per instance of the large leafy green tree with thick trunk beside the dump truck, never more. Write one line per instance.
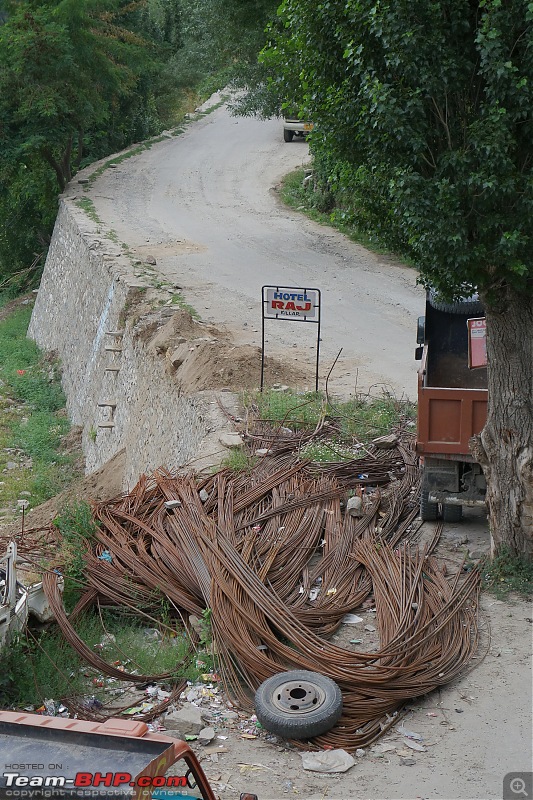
(424, 129)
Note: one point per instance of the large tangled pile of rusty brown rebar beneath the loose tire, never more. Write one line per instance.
(251, 546)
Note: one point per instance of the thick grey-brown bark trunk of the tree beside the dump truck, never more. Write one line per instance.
(505, 446)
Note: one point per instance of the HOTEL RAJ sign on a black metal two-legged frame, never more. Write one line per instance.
(290, 304)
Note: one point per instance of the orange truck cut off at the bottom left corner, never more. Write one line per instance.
(113, 760)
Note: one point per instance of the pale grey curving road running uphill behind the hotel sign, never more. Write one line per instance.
(204, 204)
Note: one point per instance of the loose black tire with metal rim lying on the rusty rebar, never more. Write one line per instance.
(298, 704)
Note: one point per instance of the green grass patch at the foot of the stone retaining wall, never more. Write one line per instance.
(32, 419)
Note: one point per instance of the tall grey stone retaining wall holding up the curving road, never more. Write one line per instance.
(117, 390)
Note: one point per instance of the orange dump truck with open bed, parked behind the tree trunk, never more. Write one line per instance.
(452, 406)
